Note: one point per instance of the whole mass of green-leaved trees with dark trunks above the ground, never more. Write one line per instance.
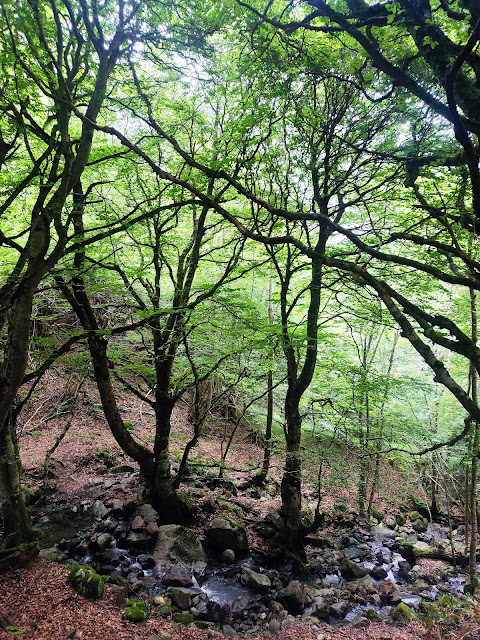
(270, 208)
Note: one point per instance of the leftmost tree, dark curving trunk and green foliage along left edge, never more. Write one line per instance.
(55, 58)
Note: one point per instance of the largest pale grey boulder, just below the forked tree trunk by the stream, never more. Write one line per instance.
(180, 545)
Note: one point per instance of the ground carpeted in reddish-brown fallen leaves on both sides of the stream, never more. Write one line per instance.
(37, 602)
